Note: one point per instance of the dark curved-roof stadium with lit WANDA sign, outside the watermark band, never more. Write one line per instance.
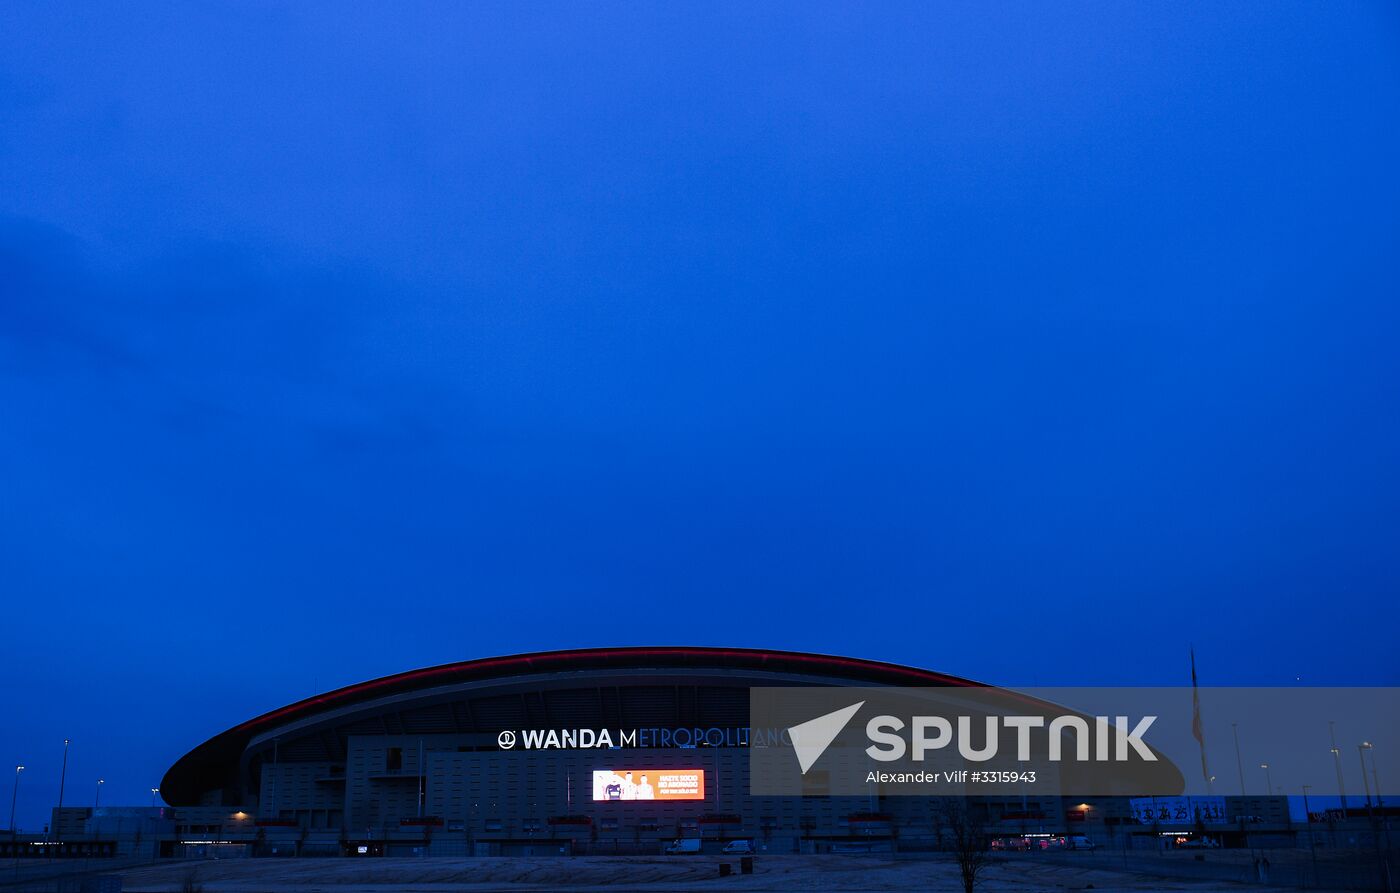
(590, 751)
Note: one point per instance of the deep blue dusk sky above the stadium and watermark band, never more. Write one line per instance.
(1030, 344)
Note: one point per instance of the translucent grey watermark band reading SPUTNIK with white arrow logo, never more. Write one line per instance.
(983, 741)
